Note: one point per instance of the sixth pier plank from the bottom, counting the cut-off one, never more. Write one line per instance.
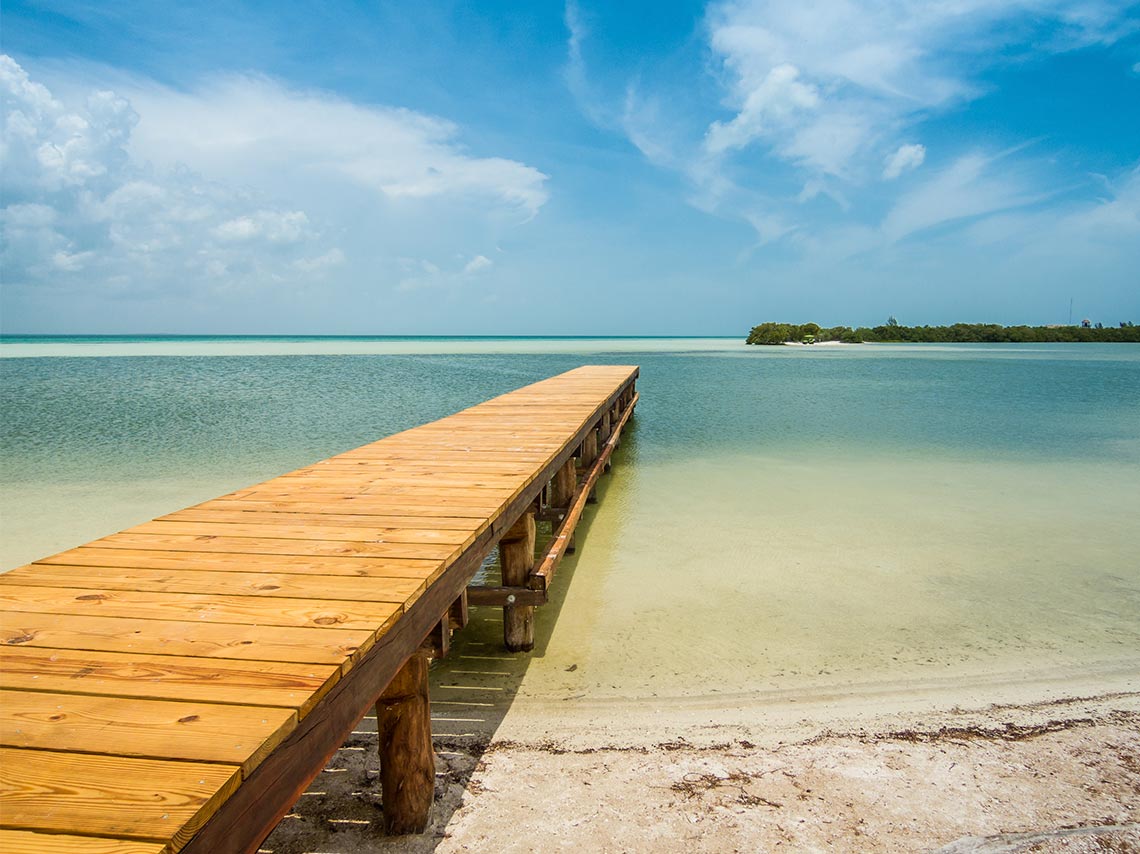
(140, 603)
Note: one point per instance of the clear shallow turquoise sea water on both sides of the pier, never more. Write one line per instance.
(780, 518)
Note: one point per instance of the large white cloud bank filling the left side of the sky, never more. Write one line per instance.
(238, 186)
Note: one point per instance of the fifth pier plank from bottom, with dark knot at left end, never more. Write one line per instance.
(205, 640)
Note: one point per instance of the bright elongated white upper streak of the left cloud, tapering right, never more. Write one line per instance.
(255, 127)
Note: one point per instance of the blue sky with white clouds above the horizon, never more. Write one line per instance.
(496, 168)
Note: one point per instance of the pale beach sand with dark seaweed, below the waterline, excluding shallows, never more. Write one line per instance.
(1051, 777)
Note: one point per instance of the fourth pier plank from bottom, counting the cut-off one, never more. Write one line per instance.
(169, 678)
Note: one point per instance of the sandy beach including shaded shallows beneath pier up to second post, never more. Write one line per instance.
(1052, 764)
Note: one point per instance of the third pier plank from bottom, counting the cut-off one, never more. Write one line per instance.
(148, 729)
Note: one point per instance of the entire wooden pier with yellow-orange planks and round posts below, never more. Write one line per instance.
(177, 686)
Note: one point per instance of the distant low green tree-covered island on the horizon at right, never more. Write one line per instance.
(960, 334)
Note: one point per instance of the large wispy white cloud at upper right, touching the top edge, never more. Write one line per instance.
(823, 95)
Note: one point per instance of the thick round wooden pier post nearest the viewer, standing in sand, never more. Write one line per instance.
(408, 761)
